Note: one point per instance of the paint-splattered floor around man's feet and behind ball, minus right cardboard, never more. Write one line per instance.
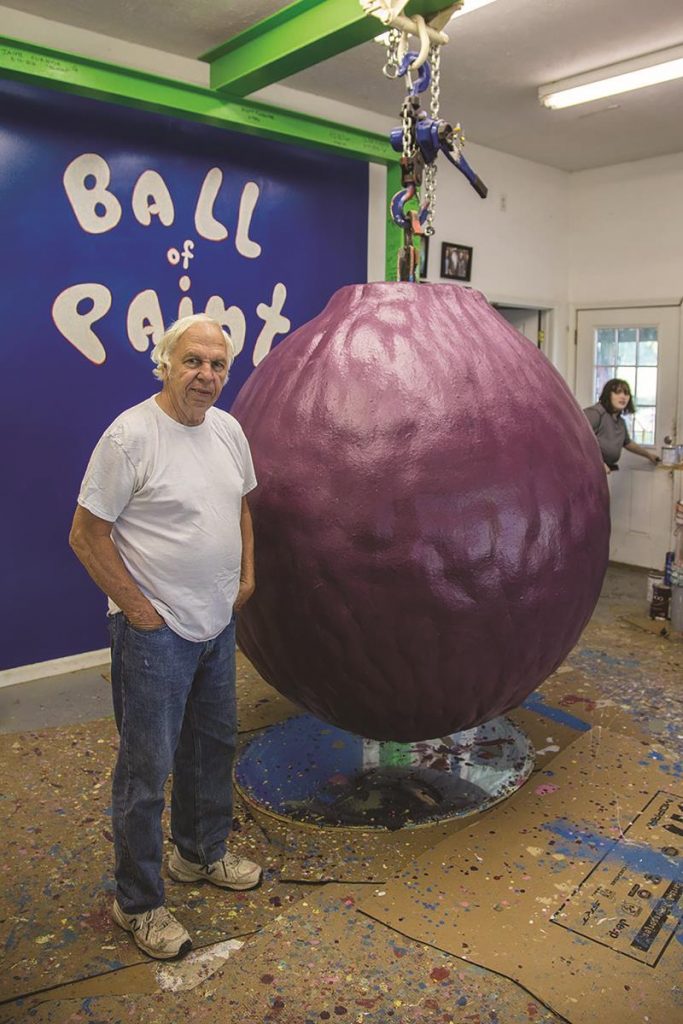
(300, 952)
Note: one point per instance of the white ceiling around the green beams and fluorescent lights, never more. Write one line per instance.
(492, 69)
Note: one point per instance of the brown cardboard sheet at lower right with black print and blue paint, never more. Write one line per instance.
(573, 888)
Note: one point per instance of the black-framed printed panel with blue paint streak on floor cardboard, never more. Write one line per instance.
(632, 901)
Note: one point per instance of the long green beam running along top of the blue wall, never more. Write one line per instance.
(81, 76)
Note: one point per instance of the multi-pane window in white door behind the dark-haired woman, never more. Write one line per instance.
(630, 354)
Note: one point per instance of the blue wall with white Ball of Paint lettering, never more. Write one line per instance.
(115, 223)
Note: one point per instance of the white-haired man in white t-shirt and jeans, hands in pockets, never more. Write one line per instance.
(163, 528)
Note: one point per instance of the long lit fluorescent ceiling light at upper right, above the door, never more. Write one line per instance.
(665, 66)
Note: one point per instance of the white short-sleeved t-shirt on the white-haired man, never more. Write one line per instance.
(175, 496)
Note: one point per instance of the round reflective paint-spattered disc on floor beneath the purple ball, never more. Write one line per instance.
(308, 772)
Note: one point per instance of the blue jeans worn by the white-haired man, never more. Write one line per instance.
(176, 709)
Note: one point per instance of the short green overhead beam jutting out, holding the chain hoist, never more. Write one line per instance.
(295, 38)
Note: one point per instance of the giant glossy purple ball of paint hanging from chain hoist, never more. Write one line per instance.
(432, 520)
